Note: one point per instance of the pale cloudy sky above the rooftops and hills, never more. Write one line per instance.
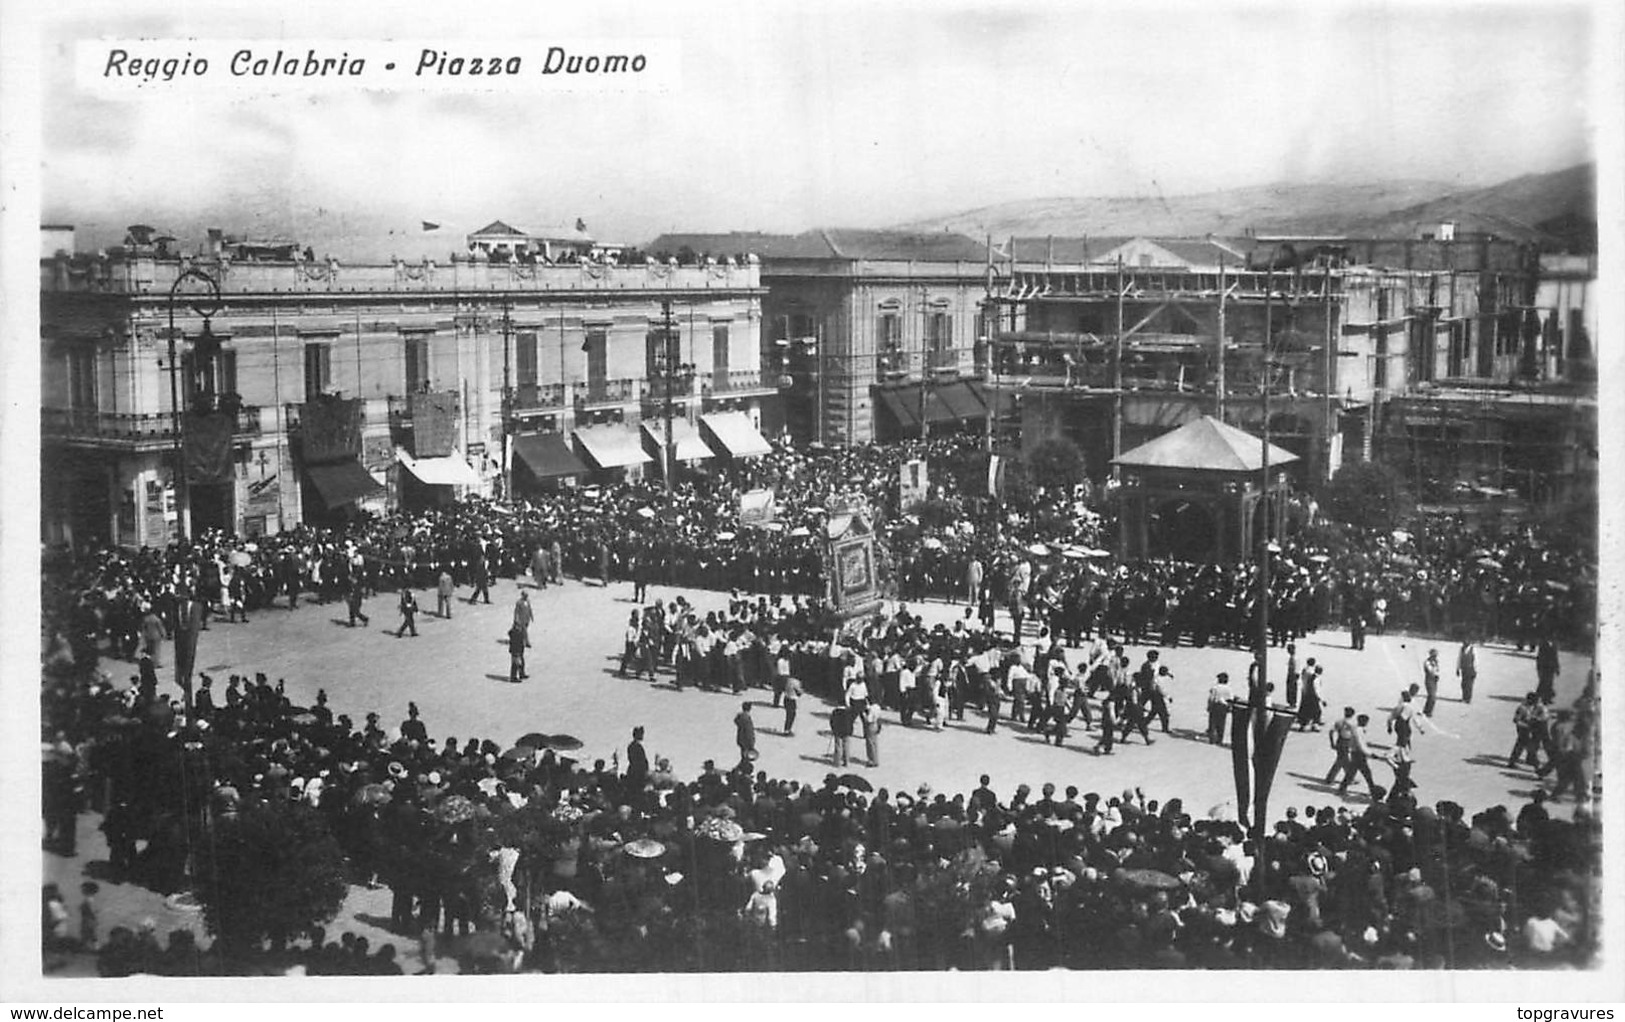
(791, 116)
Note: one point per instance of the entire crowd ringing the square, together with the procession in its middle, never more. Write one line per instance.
(566, 867)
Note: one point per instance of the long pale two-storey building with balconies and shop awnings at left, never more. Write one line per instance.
(443, 368)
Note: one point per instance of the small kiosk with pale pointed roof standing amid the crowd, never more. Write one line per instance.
(1195, 493)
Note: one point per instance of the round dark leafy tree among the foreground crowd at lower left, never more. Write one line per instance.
(271, 872)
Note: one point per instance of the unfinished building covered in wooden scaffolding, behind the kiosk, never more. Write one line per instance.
(1460, 360)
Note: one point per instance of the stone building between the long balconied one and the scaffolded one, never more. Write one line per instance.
(875, 332)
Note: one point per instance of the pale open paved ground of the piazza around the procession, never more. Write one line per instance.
(457, 675)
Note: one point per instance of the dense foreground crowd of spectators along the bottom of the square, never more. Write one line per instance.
(576, 868)
